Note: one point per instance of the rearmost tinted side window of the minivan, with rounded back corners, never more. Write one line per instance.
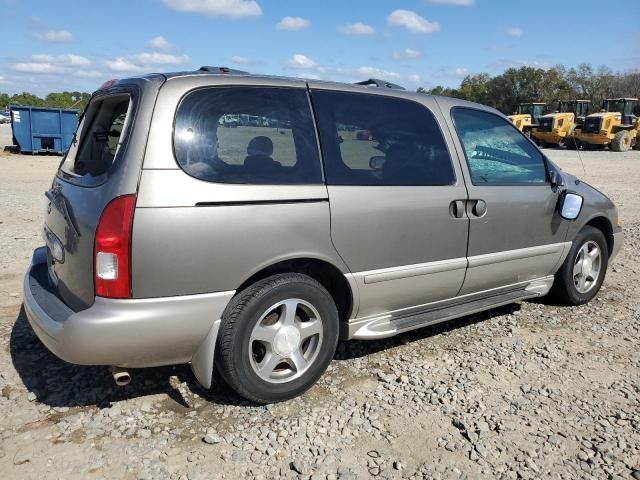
(254, 135)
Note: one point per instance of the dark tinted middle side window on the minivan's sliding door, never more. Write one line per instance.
(376, 140)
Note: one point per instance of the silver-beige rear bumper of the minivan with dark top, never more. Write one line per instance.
(129, 333)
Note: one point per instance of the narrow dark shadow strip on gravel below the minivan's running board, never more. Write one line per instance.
(361, 348)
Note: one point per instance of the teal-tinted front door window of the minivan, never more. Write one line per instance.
(497, 153)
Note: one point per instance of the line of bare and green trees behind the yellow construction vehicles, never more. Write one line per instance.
(529, 84)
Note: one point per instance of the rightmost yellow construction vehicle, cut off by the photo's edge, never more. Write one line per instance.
(617, 125)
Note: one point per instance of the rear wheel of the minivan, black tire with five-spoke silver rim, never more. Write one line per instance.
(256, 332)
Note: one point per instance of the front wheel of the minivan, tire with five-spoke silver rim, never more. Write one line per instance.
(566, 287)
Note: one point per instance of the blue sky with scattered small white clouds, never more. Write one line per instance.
(49, 45)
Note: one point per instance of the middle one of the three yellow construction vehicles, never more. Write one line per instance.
(557, 128)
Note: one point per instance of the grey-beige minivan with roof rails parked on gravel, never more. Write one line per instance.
(247, 223)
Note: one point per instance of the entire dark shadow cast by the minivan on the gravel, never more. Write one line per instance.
(60, 384)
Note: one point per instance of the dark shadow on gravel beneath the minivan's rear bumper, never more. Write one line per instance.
(60, 384)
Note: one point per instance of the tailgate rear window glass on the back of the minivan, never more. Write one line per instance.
(98, 138)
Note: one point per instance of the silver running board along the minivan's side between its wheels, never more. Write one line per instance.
(387, 325)
